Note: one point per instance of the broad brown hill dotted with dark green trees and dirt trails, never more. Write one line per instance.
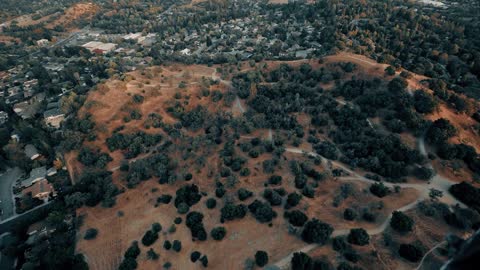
(215, 134)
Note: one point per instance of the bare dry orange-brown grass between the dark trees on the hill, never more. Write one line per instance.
(136, 209)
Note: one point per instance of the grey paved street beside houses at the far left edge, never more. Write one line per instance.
(6, 181)
